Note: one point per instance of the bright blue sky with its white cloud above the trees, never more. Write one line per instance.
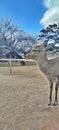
(30, 15)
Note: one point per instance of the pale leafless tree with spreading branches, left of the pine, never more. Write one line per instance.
(14, 38)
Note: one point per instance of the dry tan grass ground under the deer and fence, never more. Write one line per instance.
(24, 100)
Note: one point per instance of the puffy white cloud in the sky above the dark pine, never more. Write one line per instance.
(52, 14)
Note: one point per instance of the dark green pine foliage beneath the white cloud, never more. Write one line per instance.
(50, 33)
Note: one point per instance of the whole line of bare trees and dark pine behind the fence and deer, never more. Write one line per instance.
(15, 42)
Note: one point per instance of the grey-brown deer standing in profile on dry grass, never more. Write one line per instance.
(49, 67)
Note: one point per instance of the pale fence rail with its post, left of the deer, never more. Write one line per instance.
(10, 62)
